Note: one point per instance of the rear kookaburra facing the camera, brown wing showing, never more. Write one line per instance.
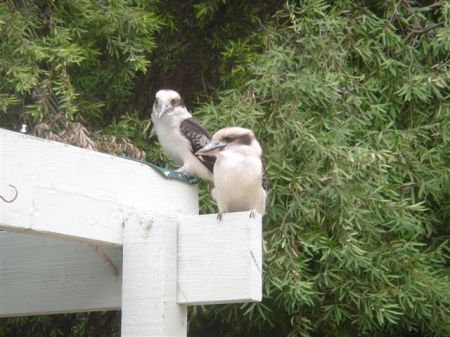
(180, 135)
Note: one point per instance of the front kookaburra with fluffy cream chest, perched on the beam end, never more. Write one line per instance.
(238, 171)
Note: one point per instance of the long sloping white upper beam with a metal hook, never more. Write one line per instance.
(80, 194)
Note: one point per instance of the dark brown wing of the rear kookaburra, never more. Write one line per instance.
(198, 137)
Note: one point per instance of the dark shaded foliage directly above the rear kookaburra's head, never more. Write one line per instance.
(203, 42)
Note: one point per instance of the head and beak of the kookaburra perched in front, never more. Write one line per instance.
(232, 139)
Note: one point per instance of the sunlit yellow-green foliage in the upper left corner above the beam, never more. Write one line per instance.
(75, 58)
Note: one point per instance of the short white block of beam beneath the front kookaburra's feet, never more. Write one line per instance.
(219, 261)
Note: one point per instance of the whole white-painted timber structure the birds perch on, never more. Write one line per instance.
(97, 203)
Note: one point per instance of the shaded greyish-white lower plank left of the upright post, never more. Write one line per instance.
(42, 276)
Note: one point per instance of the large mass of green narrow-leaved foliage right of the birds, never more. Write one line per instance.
(351, 104)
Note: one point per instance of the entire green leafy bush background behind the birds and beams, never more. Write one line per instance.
(350, 101)
